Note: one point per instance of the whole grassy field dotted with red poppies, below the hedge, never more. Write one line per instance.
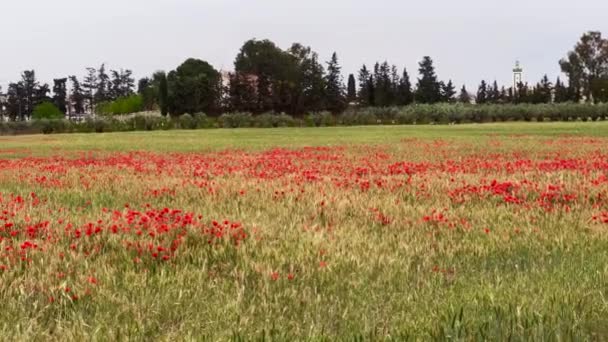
(490, 231)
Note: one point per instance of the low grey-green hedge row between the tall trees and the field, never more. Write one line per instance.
(417, 114)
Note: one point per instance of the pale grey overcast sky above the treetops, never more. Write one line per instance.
(469, 40)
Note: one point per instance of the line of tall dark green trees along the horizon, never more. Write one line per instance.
(267, 78)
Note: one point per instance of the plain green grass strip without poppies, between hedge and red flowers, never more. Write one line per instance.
(246, 138)
